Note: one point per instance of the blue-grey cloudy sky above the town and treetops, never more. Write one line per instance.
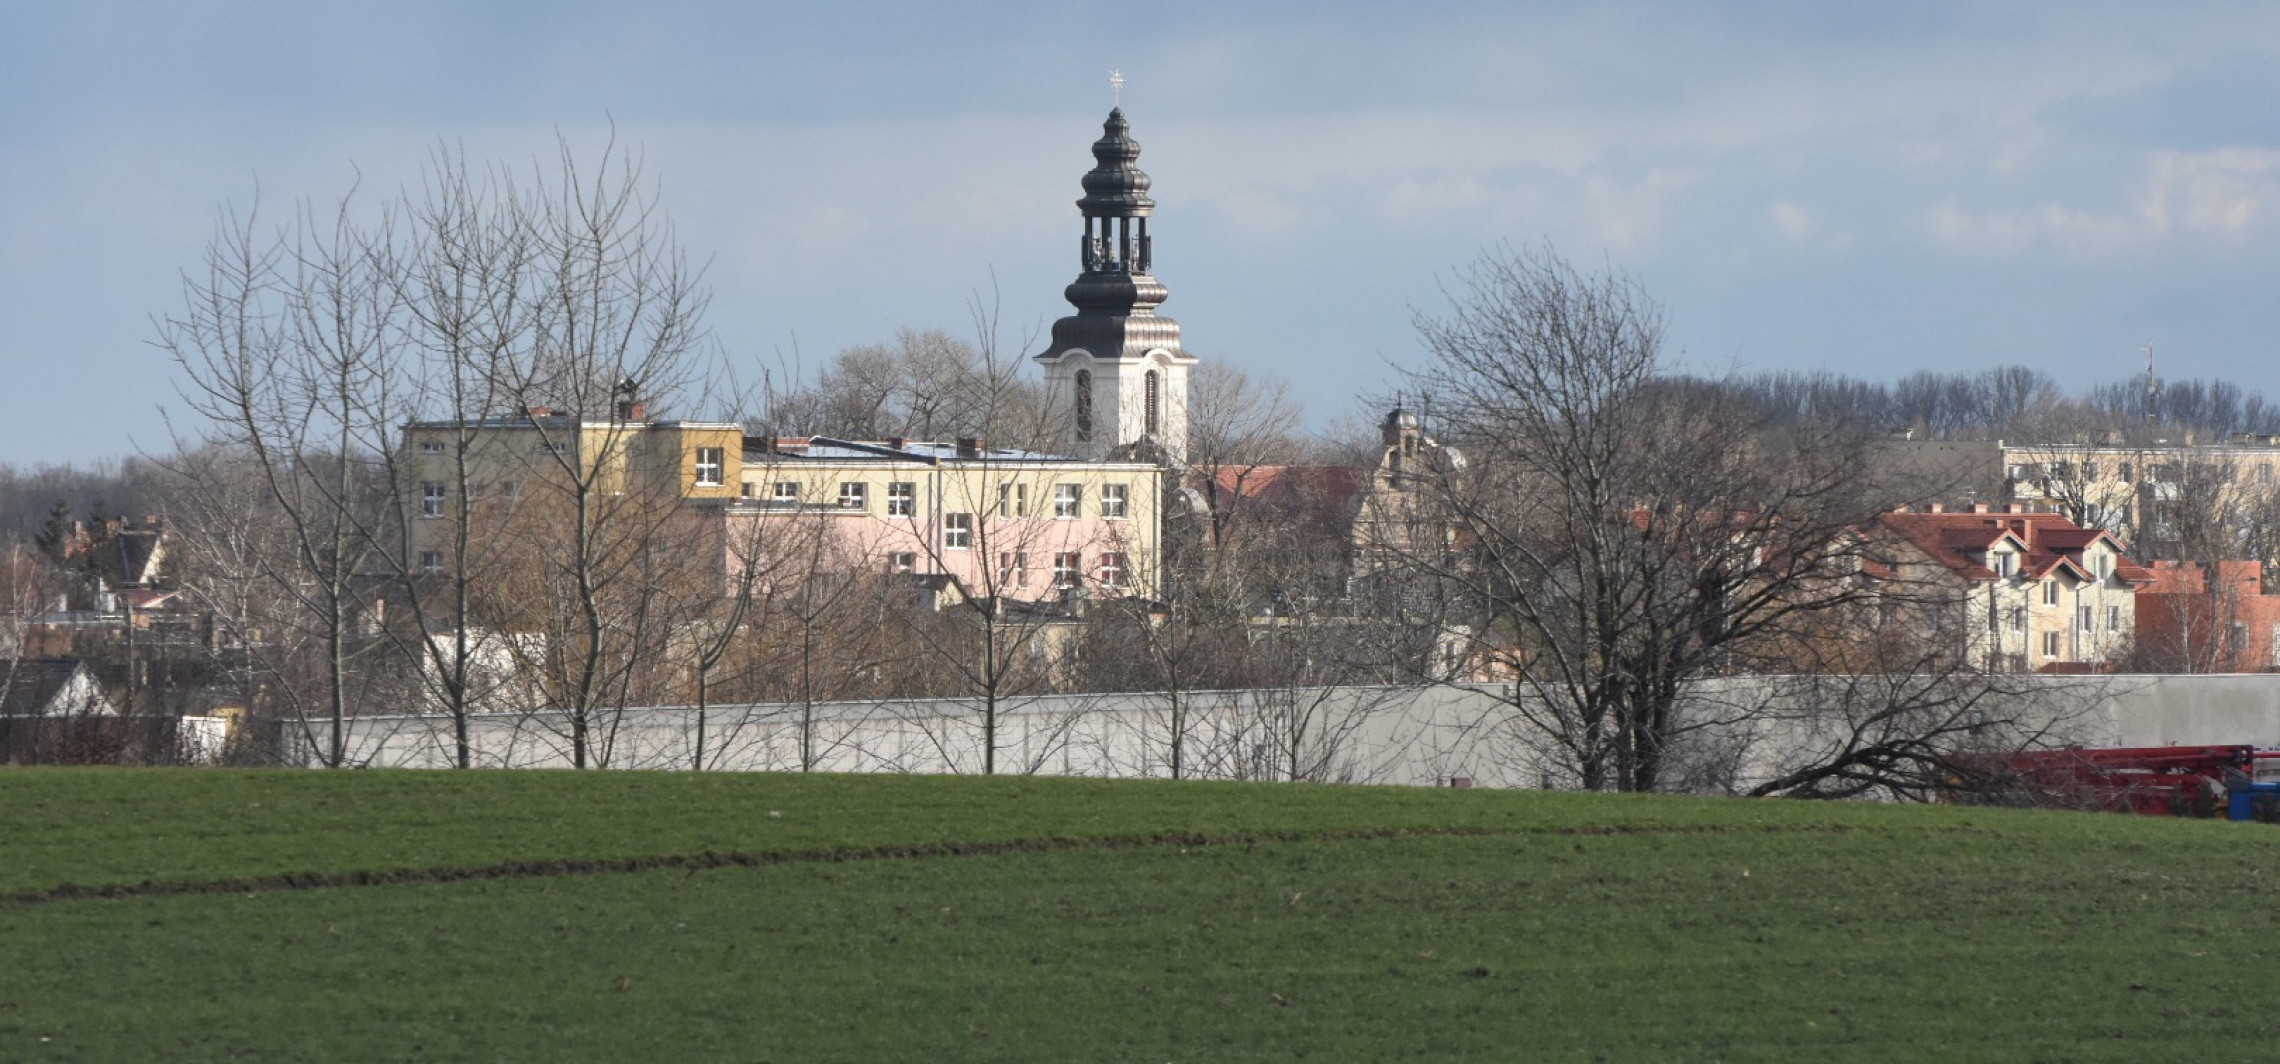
(1855, 188)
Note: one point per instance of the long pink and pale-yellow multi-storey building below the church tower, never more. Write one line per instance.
(1002, 523)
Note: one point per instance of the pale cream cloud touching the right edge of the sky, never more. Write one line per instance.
(2215, 195)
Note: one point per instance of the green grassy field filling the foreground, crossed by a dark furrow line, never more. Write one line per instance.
(279, 917)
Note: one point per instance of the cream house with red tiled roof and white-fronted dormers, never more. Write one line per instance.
(2023, 591)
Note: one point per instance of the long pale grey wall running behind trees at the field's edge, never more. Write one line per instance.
(1417, 737)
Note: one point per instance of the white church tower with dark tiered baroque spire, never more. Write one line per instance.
(1116, 363)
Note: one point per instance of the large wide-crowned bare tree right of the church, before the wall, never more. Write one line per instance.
(1615, 539)
